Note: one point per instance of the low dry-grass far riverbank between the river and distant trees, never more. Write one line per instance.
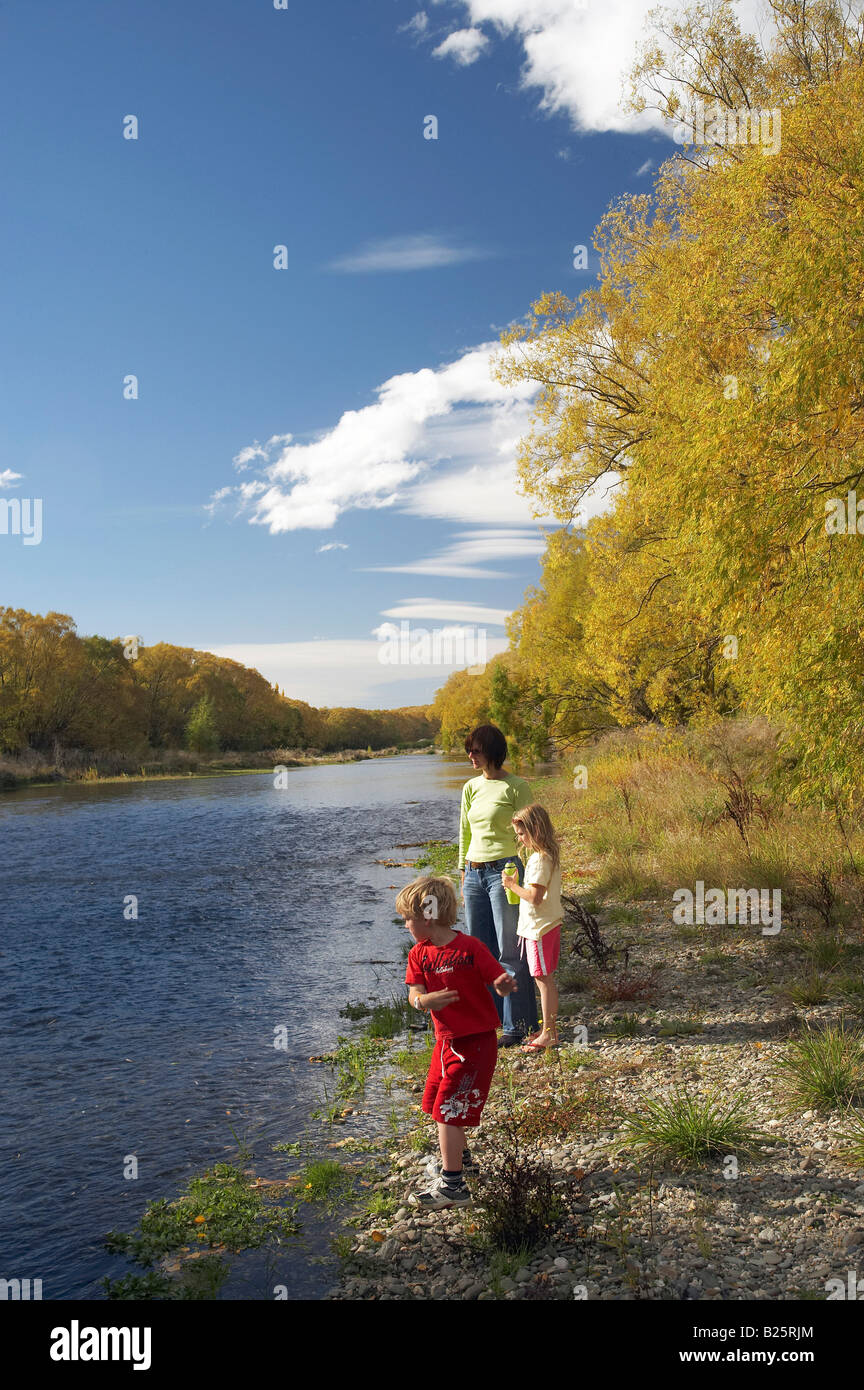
(181, 765)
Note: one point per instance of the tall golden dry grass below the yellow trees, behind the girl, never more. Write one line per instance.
(659, 814)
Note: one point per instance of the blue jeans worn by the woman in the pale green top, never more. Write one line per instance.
(494, 921)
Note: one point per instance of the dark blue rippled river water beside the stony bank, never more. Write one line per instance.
(258, 908)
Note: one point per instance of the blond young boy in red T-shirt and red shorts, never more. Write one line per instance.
(449, 975)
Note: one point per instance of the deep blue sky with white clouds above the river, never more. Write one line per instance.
(319, 450)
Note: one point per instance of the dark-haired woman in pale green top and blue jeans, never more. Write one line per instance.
(487, 842)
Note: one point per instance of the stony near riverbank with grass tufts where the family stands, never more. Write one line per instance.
(699, 1135)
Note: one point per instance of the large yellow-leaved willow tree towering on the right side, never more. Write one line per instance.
(717, 369)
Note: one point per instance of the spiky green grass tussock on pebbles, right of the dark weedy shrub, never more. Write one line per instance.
(687, 1131)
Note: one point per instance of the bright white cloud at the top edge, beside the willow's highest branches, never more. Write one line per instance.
(580, 54)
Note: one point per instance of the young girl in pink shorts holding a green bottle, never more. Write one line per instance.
(541, 914)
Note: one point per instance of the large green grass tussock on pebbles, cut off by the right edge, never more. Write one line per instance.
(824, 1068)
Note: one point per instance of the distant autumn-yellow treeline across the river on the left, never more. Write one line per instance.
(60, 690)
